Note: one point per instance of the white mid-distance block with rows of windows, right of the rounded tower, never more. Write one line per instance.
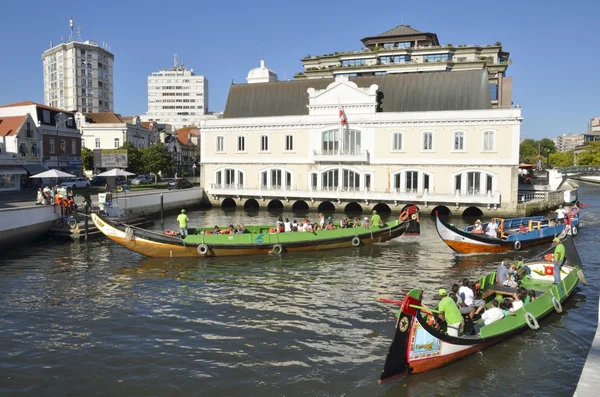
(177, 96)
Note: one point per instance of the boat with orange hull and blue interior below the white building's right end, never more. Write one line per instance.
(538, 230)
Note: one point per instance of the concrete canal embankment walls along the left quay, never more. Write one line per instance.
(22, 223)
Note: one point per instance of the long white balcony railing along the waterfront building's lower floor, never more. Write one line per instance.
(353, 194)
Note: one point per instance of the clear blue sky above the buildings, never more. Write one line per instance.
(553, 44)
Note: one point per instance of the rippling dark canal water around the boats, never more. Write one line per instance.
(101, 320)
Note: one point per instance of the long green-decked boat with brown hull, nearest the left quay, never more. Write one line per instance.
(255, 240)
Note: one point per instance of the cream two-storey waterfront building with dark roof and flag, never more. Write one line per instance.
(433, 140)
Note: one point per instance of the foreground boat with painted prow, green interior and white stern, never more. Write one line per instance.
(419, 347)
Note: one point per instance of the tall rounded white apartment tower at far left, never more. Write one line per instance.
(78, 77)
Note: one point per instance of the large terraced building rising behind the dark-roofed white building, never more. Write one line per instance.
(407, 50)
